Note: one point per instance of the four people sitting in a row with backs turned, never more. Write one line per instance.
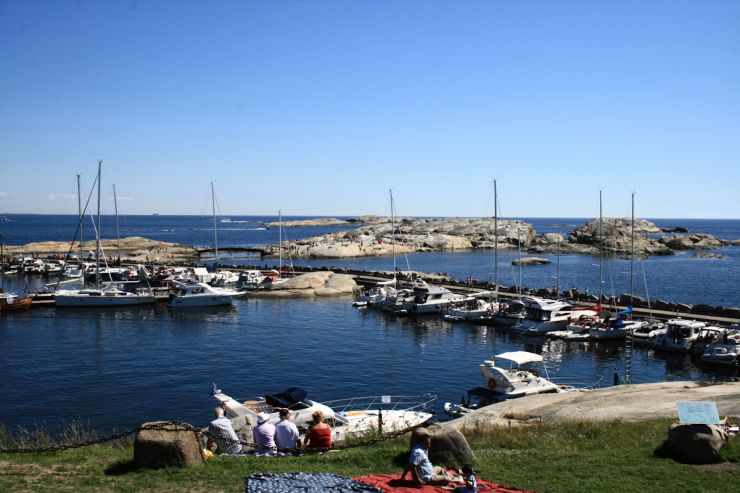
(270, 439)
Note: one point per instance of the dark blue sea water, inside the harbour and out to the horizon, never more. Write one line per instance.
(113, 369)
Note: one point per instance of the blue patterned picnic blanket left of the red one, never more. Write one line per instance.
(305, 483)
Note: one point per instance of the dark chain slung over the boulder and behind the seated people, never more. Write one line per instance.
(178, 427)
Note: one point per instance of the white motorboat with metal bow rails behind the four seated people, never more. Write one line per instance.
(354, 417)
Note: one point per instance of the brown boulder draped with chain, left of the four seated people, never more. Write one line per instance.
(165, 445)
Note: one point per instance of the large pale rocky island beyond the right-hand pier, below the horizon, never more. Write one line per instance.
(377, 237)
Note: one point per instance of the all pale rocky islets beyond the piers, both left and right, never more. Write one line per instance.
(376, 237)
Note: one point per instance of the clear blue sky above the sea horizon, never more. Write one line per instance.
(319, 107)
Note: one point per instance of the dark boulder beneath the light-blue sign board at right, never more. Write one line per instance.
(695, 443)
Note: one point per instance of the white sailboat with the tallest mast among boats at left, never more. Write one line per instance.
(107, 294)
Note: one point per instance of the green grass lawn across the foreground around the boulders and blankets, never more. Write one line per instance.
(604, 456)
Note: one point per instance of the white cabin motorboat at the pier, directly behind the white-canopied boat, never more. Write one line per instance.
(545, 315)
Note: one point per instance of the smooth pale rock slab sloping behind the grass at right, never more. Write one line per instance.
(626, 402)
